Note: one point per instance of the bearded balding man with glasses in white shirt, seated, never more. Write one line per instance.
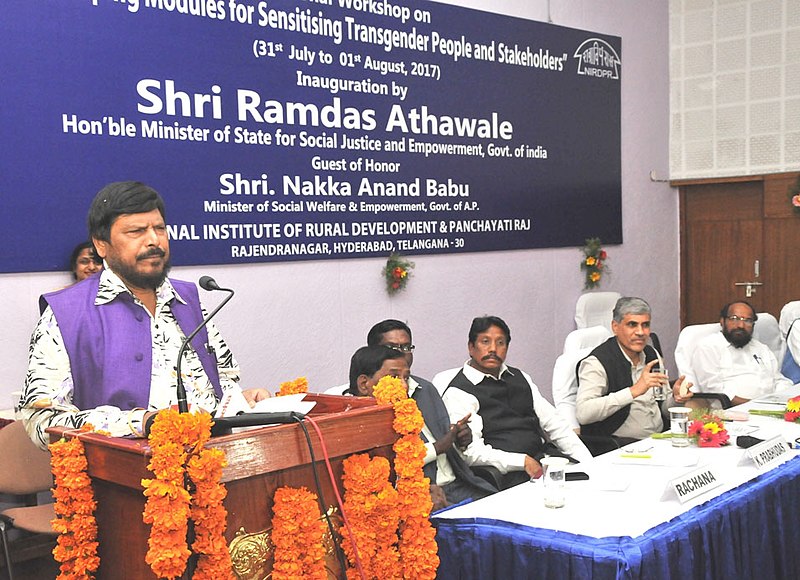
(734, 363)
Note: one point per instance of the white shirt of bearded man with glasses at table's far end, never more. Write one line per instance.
(748, 372)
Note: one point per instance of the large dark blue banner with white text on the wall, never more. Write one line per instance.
(295, 130)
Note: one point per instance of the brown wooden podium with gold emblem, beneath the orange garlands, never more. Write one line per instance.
(259, 461)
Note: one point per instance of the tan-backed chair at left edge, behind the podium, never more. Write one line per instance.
(25, 473)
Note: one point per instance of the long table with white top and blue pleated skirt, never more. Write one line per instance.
(624, 522)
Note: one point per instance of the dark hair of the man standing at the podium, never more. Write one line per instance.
(120, 198)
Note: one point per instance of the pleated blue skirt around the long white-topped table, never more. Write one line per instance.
(752, 531)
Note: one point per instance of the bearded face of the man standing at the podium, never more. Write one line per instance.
(138, 249)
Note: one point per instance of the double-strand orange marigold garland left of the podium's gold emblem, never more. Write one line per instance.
(177, 442)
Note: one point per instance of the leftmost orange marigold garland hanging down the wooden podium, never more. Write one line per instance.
(76, 547)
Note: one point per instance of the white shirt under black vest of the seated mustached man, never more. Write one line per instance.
(460, 403)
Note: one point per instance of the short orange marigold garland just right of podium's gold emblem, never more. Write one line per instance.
(297, 532)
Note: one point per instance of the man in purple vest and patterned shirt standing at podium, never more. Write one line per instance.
(105, 350)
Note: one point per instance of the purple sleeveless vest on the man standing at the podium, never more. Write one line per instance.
(110, 347)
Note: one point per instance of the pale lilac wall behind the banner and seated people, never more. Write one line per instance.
(307, 318)
